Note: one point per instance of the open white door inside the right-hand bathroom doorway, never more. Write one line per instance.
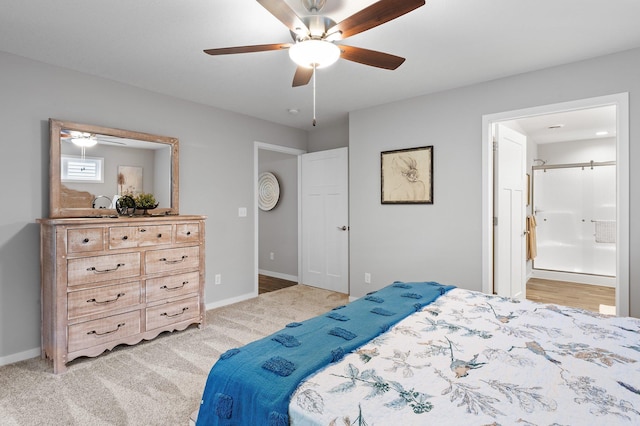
(510, 205)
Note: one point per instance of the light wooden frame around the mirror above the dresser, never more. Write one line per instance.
(55, 182)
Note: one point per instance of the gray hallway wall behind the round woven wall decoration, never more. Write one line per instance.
(278, 228)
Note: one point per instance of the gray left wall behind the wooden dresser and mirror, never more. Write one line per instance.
(216, 159)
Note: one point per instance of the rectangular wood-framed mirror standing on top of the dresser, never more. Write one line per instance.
(91, 167)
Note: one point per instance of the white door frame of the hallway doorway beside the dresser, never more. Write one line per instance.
(257, 146)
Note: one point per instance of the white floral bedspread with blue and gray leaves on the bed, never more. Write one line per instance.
(469, 358)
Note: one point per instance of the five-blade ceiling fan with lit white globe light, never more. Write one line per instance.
(320, 32)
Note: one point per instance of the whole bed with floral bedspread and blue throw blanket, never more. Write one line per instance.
(441, 355)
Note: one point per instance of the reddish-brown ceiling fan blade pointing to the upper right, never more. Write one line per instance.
(374, 15)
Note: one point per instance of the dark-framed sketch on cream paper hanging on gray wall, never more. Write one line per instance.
(406, 176)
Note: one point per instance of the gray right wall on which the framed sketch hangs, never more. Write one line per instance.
(443, 241)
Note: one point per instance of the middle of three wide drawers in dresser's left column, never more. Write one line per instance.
(102, 299)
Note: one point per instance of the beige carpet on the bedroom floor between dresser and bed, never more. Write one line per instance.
(158, 382)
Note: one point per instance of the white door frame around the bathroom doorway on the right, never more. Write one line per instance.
(621, 101)
